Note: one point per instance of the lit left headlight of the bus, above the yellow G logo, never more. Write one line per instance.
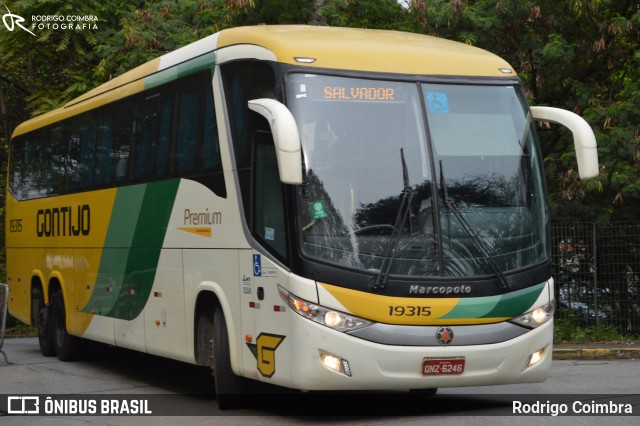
(328, 317)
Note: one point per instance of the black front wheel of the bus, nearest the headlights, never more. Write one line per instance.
(230, 389)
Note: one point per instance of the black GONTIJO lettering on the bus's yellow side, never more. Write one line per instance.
(64, 221)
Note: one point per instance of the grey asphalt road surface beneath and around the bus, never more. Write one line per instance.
(181, 393)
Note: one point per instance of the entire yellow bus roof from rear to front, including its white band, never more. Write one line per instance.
(311, 46)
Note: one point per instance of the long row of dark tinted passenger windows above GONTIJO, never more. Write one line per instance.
(167, 132)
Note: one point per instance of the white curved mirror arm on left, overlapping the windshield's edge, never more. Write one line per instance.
(285, 137)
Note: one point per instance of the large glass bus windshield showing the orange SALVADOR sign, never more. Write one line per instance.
(418, 179)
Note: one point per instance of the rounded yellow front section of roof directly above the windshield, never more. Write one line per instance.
(369, 50)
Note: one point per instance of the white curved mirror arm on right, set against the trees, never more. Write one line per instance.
(583, 138)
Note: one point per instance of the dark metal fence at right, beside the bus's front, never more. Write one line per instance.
(596, 267)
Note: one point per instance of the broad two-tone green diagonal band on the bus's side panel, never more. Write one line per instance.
(138, 224)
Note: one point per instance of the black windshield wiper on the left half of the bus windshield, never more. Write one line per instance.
(404, 211)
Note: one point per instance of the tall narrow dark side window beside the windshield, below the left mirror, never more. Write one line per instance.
(268, 201)
